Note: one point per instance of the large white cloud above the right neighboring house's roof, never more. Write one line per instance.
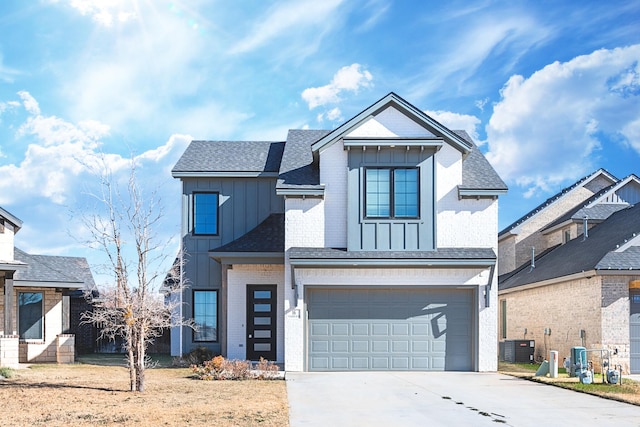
(562, 115)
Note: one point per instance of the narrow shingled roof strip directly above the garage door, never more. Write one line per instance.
(440, 254)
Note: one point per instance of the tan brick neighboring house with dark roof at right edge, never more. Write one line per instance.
(580, 289)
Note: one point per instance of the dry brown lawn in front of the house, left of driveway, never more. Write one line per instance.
(81, 394)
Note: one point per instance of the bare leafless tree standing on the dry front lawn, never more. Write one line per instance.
(122, 225)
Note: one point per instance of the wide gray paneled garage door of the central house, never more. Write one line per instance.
(389, 329)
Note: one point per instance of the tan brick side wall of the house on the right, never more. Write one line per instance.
(598, 305)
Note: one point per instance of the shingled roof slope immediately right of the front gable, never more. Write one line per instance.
(477, 172)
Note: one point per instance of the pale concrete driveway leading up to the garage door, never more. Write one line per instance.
(443, 399)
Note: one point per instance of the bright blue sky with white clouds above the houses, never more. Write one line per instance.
(548, 89)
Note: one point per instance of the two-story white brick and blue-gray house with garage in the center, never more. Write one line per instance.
(368, 247)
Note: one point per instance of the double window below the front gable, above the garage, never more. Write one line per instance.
(391, 193)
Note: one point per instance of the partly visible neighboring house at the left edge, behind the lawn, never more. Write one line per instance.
(34, 311)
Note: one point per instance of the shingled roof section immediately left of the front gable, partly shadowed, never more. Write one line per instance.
(298, 168)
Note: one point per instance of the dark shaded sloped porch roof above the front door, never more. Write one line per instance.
(268, 236)
